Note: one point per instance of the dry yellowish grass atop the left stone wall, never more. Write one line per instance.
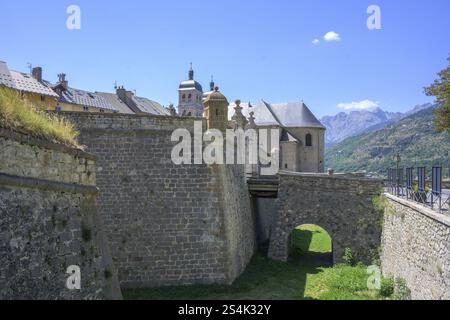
(19, 114)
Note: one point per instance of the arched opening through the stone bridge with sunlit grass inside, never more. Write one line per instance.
(311, 245)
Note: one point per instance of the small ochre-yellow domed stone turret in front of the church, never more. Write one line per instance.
(216, 110)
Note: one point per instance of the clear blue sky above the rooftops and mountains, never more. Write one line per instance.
(254, 49)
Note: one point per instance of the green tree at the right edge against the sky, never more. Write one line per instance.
(441, 90)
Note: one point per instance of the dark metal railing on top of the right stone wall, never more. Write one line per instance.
(415, 188)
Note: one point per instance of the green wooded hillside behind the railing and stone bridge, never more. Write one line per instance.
(414, 137)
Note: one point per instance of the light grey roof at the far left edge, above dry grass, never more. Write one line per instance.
(23, 82)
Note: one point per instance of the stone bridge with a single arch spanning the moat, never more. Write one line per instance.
(342, 205)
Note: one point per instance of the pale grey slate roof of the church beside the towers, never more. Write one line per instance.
(291, 115)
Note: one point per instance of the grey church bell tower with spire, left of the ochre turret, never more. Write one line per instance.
(190, 95)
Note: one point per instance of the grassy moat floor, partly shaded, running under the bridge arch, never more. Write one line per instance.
(309, 275)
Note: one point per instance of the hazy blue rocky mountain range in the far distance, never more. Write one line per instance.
(346, 125)
